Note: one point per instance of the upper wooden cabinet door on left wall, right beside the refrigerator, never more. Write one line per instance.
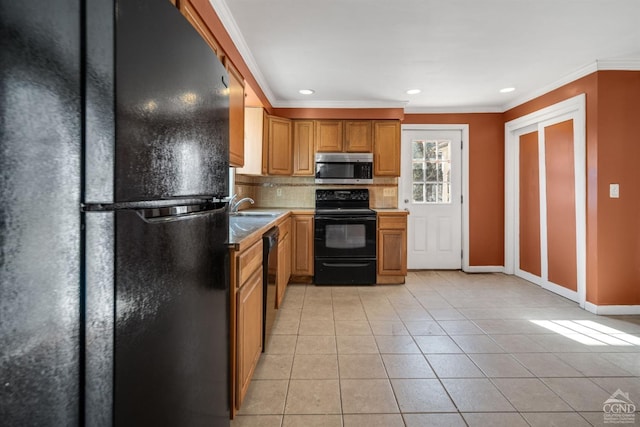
(236, 116)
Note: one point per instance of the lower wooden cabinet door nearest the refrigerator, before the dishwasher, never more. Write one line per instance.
(249, 332)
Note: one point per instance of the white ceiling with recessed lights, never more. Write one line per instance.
(367, 53)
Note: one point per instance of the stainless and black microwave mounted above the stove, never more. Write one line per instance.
(344, 168)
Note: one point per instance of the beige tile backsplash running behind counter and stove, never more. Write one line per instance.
(299, 191)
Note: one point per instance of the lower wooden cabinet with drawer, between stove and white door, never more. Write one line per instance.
(392, 247)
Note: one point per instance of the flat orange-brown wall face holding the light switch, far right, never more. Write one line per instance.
(618, 231)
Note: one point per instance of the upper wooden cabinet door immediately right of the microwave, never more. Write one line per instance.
(386, 148)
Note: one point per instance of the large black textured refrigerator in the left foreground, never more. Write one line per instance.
(114, 262)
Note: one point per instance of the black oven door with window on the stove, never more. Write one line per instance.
(345, 236)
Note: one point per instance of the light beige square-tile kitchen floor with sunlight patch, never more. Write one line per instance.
(445, 349)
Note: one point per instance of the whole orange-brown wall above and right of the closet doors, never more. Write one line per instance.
(613, 156)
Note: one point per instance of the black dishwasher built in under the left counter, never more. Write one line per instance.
(269, 276)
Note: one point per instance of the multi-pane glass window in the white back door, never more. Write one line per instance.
(431, 171)
